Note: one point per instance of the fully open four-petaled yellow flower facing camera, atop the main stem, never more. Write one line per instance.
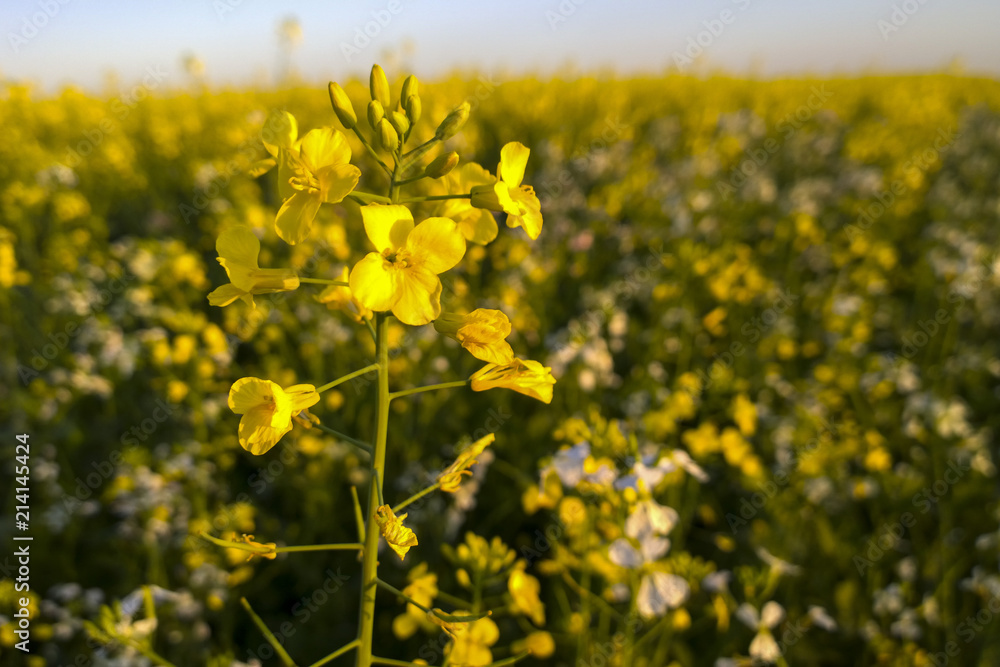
(403, 275)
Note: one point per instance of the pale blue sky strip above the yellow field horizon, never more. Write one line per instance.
(59, 42)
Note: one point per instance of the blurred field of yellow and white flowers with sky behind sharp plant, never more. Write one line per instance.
(767, 284)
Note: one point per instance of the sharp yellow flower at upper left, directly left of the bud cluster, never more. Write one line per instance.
(313, 170)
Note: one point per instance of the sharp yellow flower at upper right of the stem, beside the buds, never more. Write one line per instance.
(507, 194)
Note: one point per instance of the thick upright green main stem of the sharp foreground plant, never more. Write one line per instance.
(369, 567)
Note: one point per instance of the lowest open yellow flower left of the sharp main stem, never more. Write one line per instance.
(267, 410)
